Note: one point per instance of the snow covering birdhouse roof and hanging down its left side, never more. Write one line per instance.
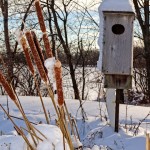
(110, 5)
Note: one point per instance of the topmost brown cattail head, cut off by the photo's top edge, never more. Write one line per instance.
(40, 15)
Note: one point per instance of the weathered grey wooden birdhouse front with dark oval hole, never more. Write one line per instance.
(117, 43)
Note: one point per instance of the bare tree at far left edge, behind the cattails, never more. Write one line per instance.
(9, 15)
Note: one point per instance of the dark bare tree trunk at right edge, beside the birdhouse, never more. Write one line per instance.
(142, 8)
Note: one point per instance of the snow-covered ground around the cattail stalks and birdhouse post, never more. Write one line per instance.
(95, 132)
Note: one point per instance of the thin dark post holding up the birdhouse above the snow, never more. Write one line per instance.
(118, 96)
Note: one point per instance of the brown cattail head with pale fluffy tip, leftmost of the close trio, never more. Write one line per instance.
(27, 55)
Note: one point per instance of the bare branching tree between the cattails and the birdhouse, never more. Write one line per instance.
(67, 20)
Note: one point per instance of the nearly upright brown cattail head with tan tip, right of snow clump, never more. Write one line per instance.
(58, 76)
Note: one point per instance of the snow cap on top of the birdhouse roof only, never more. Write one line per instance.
(117, 5)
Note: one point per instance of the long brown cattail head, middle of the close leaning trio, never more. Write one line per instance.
(36, 56)
